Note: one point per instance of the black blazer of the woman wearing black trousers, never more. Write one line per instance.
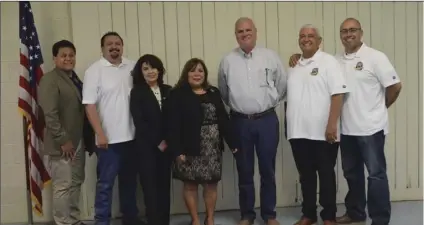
(149, 119)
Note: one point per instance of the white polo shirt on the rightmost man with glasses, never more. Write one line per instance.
(368, 73)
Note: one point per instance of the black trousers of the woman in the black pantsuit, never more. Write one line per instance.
(155, 176)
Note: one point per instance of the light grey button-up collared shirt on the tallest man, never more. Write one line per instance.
(252, 83)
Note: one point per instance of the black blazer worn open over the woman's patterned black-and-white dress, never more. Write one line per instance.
(185, 121)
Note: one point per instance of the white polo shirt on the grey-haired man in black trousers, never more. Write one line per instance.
(311, 83)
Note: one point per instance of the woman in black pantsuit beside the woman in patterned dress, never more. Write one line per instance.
(148, 104)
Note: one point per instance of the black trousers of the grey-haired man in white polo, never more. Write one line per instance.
(312, 157)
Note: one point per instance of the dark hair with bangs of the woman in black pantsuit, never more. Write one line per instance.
(151, 60)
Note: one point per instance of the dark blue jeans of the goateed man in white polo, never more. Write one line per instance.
(117, 160)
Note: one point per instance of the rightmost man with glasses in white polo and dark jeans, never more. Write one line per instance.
(374, 86)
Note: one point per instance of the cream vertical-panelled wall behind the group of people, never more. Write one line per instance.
(178, 31)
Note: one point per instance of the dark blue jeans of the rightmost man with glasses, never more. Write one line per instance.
(369, 150)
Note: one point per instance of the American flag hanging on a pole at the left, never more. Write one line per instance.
(32, 63)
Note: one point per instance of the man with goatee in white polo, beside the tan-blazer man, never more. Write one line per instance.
(107, 85)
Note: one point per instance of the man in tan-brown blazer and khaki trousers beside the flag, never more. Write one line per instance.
(59, 96)
